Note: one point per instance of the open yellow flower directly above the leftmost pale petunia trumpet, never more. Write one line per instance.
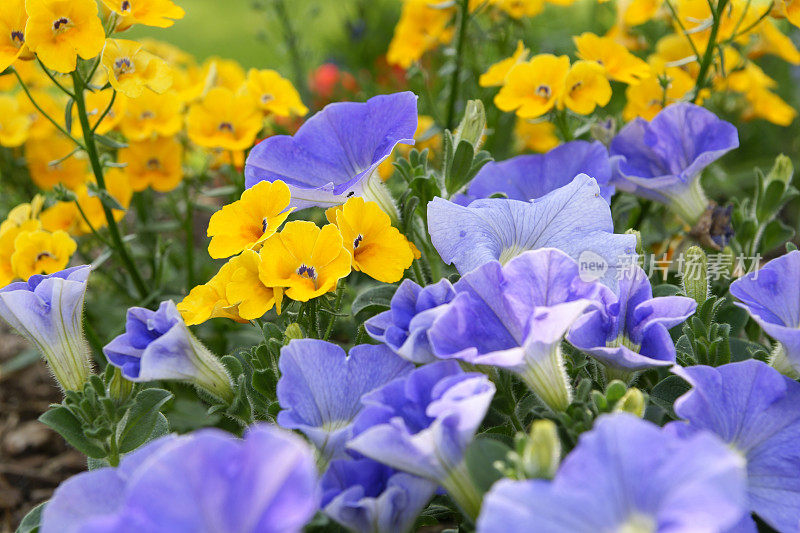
(41, 252)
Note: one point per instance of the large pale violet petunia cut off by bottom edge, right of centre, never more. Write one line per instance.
(626, 474)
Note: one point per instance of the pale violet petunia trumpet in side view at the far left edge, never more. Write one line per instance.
(48, 311)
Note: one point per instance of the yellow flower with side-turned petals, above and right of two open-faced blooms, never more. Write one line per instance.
(619, 63)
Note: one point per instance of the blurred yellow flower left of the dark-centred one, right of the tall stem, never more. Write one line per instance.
(152, 114)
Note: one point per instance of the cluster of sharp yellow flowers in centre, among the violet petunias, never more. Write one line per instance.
(302, 261)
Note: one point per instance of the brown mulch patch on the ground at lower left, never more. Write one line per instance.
(33, 458)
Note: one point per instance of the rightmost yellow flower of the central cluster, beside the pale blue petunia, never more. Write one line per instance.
(378, 249)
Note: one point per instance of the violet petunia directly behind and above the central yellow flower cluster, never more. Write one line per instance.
(336, 153)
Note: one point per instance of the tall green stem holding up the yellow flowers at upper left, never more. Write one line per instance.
(97, 169)
